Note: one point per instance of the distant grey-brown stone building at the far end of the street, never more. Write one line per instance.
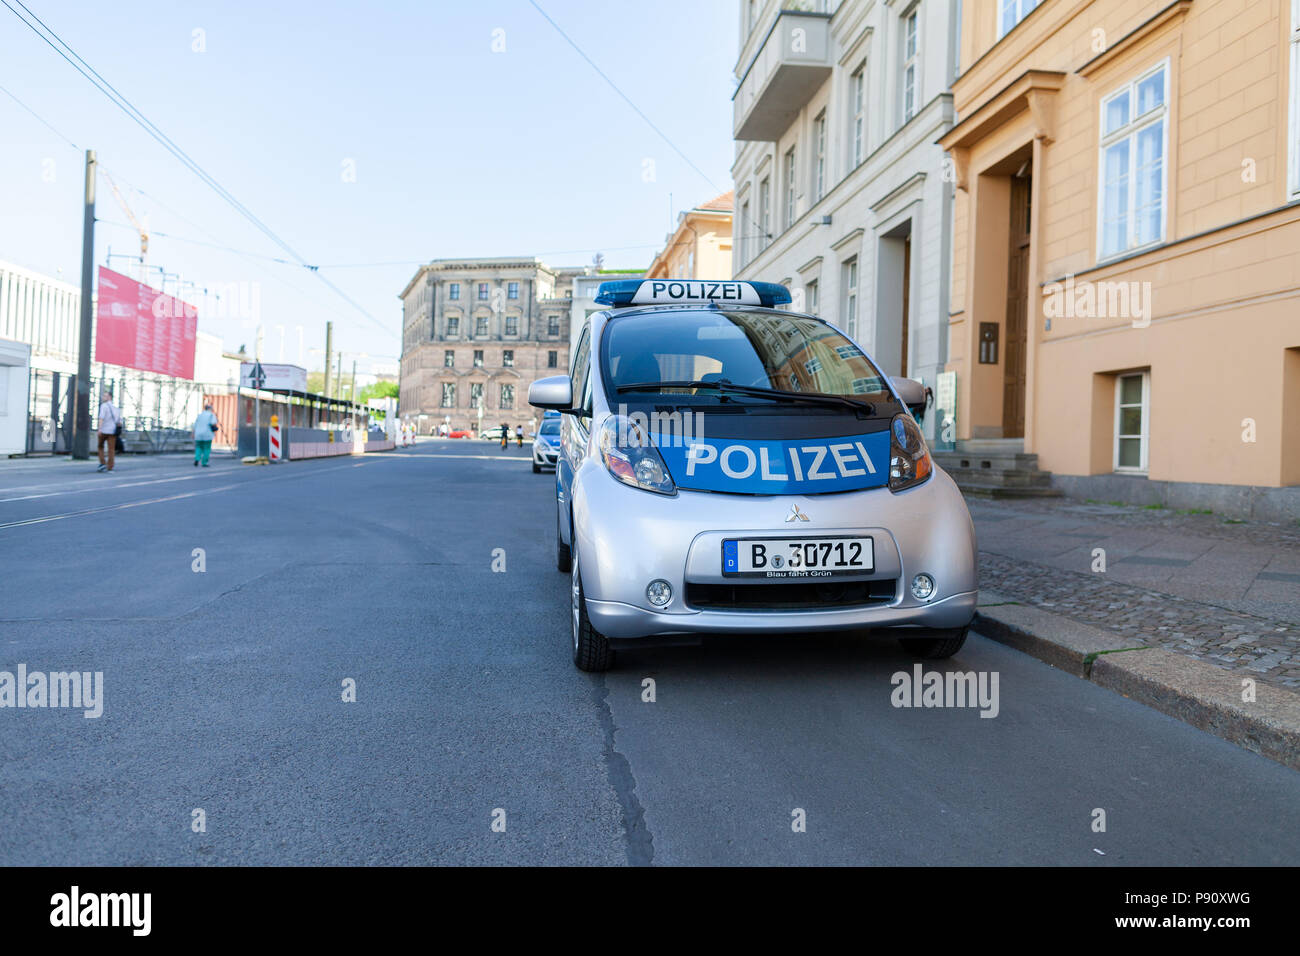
(475, 335)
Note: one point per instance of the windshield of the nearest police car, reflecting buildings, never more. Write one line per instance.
(703, 353)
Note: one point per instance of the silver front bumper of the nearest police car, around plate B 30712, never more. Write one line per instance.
(627, 538)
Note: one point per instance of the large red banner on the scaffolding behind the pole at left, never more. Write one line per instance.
(142, 328)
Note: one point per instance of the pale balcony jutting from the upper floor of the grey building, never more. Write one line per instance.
(790, 67)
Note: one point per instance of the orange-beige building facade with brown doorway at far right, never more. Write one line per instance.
(1126, 253)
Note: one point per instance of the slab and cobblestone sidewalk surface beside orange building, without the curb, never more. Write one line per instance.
(1195, 585)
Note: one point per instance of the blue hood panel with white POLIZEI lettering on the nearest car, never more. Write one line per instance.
(801, 466)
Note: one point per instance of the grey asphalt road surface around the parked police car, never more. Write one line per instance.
(223, 693)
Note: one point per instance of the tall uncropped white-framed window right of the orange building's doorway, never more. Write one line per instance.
(1132, 200)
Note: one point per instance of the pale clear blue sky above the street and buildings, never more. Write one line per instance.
(458, 150)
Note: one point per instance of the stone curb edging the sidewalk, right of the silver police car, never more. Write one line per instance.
(1197, 693)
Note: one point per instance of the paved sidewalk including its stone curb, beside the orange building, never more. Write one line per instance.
(1194, 615)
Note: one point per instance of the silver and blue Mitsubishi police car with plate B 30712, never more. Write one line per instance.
(729, 468)
